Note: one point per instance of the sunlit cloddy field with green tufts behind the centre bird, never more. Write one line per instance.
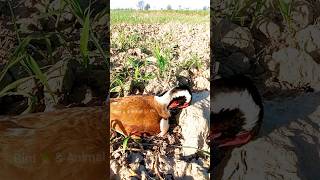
(150, 50)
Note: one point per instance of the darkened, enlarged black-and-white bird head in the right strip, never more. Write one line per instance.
(236, 111)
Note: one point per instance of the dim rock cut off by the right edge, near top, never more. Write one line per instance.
(309, 40)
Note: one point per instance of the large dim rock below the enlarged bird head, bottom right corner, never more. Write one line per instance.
(288, 146)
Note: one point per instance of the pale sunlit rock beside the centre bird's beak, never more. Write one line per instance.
(194, 122)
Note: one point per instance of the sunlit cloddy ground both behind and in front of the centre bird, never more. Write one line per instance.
(152, 51)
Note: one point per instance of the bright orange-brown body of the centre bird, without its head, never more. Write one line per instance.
(137, 115)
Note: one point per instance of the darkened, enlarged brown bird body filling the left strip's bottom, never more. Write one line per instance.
(65, 144)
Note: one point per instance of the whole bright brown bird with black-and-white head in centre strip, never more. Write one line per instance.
(136, 116)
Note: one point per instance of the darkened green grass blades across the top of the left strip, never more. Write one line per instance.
(35, 51)
